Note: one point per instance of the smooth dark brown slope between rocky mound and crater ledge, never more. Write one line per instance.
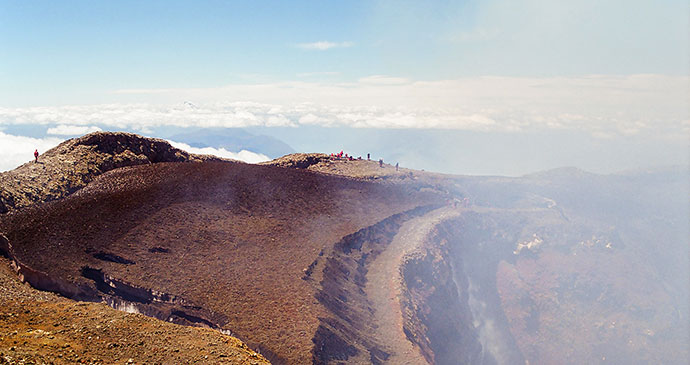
(219, 244)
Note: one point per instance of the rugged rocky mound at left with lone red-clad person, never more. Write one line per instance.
(76, 162)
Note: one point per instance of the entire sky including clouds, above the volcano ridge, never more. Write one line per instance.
(594, 72)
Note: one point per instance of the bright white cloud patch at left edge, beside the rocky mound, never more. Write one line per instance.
(16, 150)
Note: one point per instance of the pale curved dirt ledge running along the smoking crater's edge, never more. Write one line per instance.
(384, 285)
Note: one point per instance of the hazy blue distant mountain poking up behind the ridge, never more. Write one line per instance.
(234, 140)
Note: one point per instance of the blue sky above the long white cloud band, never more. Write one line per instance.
(64, 51)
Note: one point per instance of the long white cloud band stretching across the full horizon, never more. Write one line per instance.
(650, 105)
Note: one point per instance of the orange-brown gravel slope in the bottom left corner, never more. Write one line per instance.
(40, 327)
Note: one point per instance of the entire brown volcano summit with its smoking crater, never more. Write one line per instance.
(307, 259)
